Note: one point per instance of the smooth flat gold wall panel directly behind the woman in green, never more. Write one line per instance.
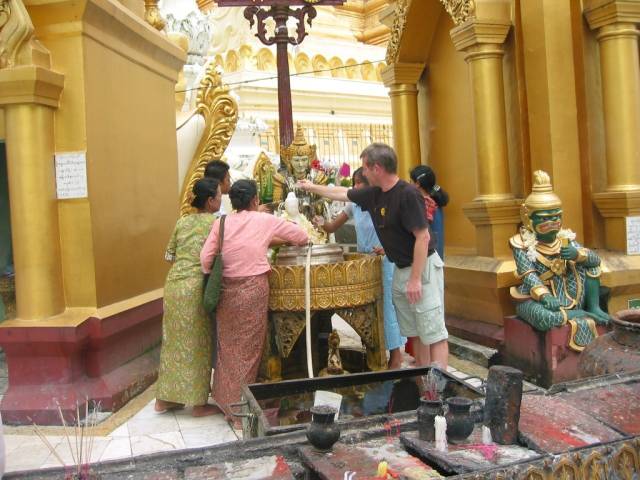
(133, 172)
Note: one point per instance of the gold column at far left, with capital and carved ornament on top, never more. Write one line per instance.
(29, 91)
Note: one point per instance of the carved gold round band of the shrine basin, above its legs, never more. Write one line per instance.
(354, 282)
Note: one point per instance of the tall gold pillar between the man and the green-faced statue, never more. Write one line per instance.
(494, 211)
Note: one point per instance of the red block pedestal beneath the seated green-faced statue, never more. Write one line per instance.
(544, 357)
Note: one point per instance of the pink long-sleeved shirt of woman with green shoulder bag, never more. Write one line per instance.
(247, 235)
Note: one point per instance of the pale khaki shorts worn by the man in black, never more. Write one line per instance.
(424, 319)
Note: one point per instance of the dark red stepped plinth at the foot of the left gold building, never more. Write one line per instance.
(105, 361)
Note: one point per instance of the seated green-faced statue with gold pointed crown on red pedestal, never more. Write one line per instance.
(559, 278)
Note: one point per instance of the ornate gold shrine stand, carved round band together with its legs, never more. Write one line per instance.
(352, 289)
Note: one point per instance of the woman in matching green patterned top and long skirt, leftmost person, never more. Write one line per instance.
(185, 359)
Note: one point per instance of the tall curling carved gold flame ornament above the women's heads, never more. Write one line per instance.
(220, 112)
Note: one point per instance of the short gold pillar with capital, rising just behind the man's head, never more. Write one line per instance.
(401, 79)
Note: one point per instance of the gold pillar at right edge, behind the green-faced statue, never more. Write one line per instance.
(615, 22)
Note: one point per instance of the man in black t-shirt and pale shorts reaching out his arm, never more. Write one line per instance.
(397, 211)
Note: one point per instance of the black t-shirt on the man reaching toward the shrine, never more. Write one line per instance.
(396, 213)
